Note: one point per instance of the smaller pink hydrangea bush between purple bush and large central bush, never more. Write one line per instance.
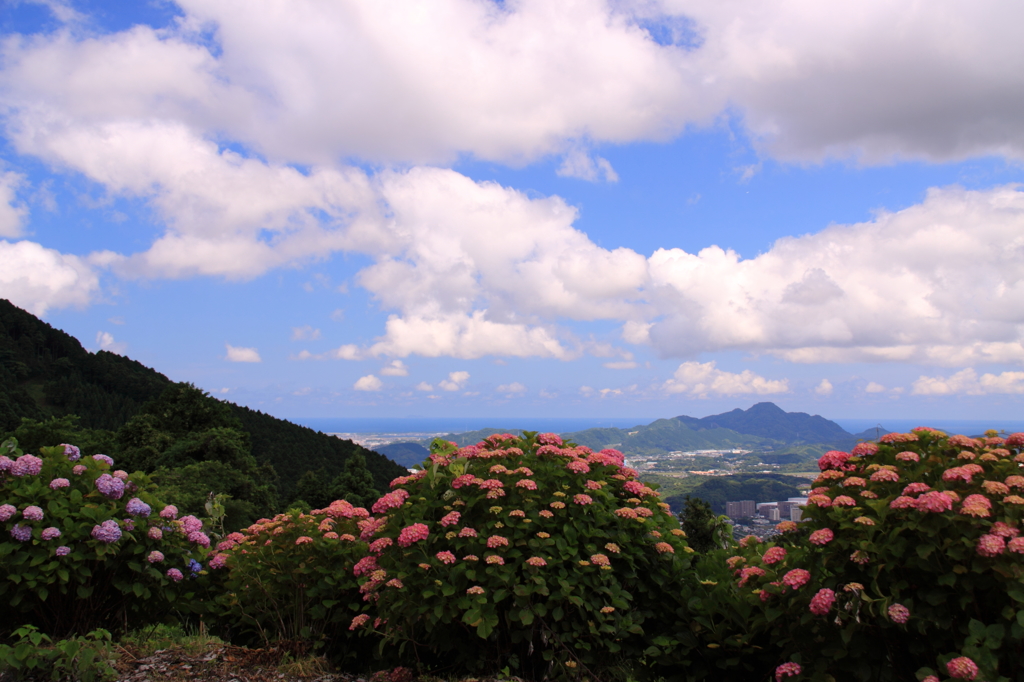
(291, 578)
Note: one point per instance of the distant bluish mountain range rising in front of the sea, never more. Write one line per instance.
(765, 429)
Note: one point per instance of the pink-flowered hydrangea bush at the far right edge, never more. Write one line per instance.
(911, 565)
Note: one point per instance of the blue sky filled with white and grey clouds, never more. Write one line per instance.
(530, 209)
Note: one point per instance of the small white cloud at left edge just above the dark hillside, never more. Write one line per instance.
(38, 279)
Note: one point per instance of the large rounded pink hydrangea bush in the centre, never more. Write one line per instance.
(522, 552)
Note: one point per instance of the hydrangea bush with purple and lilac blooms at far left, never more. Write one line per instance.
(84, 546)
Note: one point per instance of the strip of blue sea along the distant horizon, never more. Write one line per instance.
(571, 424)
